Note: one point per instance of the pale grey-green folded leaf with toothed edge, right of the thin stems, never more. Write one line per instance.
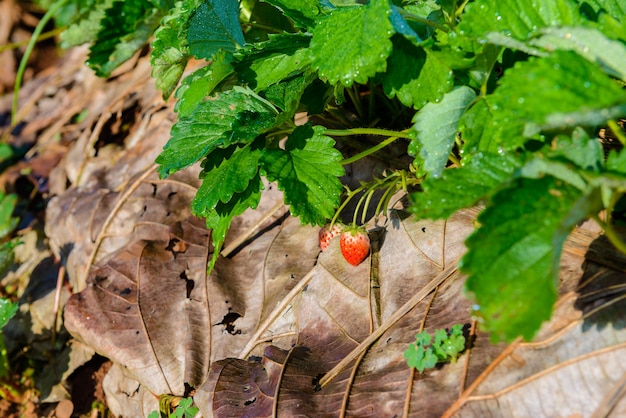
(437, 126)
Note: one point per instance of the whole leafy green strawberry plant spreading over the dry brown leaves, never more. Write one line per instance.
(497, 103)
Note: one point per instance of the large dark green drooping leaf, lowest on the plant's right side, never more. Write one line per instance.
(513, 258)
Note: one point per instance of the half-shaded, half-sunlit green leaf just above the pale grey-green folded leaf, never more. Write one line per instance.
(416, 76)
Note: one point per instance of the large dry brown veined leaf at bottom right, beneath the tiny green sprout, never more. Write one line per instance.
(572, 368)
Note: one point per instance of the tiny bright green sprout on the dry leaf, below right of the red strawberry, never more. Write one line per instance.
(447, 346)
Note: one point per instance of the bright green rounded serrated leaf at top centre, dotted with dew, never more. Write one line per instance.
(352, 43)
